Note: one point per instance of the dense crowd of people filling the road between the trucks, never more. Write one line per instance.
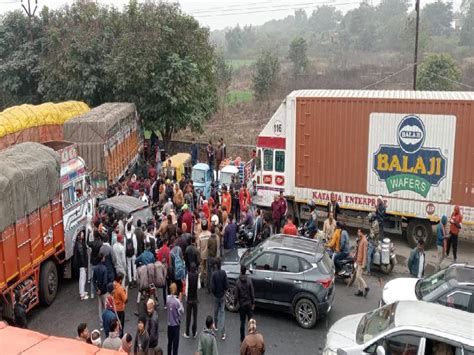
(175, 253)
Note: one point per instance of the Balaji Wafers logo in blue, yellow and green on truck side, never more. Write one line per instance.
(410, 166)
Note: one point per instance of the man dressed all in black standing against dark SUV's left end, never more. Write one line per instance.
(246, 299)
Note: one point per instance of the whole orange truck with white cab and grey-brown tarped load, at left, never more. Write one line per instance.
(45, 204)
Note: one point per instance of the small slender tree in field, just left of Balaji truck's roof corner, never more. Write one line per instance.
(266, 76)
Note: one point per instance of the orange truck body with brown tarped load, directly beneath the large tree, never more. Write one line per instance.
(108, 139)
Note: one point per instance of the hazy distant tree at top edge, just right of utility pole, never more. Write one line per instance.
(438, 17)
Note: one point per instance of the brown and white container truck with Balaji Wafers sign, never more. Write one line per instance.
(412, 148)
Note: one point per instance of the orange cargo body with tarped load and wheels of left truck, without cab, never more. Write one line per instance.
(31, 225)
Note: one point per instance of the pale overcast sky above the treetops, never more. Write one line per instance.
(220, 14)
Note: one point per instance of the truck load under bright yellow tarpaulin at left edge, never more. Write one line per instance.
(37, 123)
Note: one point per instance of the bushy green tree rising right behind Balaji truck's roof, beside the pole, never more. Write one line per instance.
(438, 72)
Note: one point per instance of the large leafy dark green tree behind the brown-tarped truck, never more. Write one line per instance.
(165, 63)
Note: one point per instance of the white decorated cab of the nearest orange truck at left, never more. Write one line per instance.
(75, 192)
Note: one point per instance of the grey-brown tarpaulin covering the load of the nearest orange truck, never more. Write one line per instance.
(29, 179)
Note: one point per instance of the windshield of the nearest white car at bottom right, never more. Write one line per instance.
(376, 322)
